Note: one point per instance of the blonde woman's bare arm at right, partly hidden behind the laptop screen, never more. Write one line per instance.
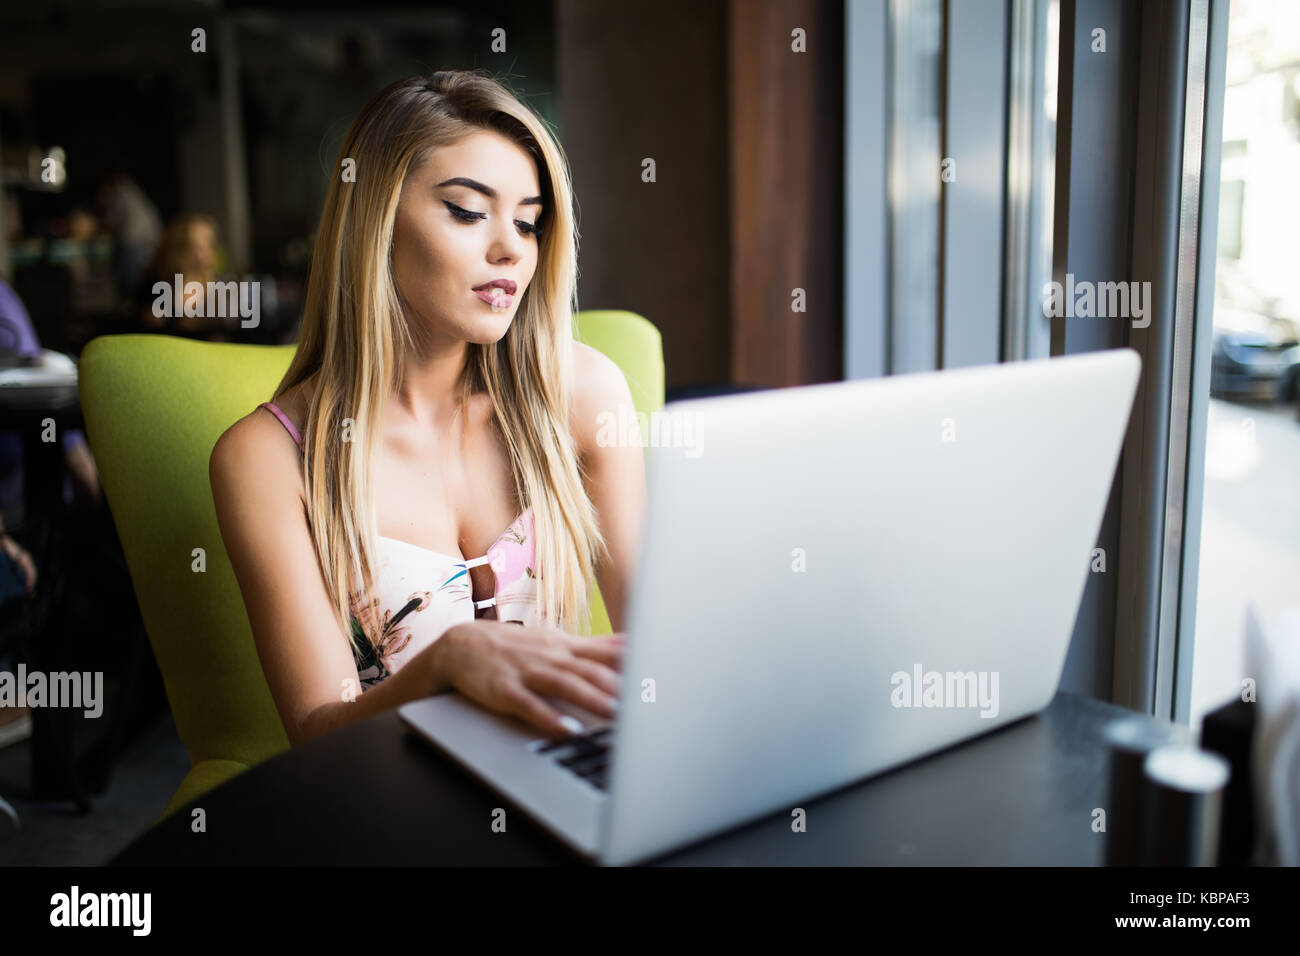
(616, 473)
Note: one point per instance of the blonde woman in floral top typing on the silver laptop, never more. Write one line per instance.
(424, 413)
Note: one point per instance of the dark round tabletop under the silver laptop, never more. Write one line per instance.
(375, 794)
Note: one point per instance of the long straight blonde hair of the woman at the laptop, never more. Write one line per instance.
(354, 336)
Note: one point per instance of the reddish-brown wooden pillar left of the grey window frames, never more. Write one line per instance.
(787, 188)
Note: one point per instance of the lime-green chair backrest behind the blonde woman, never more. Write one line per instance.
(154, 408)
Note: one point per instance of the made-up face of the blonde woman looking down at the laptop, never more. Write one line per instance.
(465, 220)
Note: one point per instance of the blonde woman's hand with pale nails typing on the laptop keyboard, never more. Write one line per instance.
(512, 668)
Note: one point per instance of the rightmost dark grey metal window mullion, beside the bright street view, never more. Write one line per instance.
(1155, 473)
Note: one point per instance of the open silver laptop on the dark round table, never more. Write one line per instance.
(834, 581)
